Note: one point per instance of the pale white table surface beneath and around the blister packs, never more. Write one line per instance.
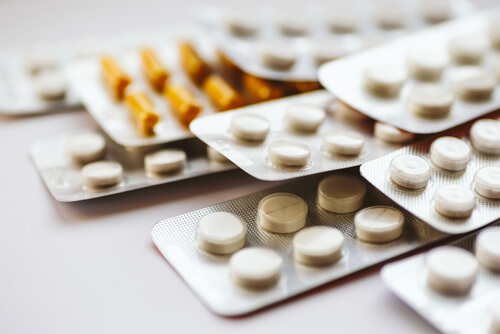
(91, 267)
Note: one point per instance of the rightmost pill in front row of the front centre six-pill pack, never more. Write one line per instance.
(379, 224)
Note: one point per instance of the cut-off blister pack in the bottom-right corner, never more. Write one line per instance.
(469, 302)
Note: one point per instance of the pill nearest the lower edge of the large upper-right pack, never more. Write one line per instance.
(430, 100)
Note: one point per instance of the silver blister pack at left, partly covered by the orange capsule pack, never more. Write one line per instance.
(85, 165)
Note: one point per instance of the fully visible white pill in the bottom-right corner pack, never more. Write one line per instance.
(451, 270)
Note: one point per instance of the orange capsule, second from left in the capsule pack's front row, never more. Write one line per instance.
(185, 104)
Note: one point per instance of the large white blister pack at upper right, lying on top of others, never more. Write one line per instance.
(429, 81)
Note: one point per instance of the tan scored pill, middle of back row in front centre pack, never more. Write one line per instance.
(282, 213)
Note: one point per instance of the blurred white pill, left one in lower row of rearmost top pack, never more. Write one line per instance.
(277, 55)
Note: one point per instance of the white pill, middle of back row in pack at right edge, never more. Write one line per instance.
(450, 153)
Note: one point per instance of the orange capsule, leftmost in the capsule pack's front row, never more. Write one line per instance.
(143, 112)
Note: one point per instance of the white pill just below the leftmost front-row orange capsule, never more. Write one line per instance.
(165, 161)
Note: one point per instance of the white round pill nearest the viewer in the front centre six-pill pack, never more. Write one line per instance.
(255, 268)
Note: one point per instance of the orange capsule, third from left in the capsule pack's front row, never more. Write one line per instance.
(221, 94)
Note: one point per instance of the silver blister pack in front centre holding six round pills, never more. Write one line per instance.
(286, 240)
